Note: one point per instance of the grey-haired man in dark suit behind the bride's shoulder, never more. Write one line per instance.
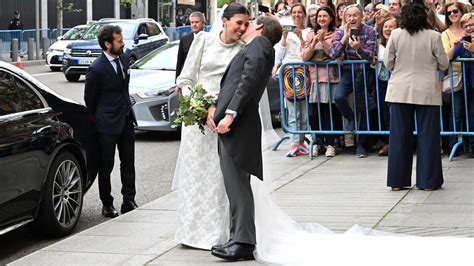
(197, 24)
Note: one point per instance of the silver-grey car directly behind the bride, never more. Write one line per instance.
(152, 90)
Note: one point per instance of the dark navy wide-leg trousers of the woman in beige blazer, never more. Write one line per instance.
(429, 172)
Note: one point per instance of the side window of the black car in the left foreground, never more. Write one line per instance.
(9, 99)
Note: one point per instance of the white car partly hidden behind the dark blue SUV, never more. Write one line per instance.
(54, 55)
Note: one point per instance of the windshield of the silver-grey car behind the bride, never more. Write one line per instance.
(163, 58)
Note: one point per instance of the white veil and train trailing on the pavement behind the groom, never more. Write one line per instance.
(281, 240)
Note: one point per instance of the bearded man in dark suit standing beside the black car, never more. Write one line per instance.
(108, 101)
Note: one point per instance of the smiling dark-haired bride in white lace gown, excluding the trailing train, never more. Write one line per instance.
(203, 207)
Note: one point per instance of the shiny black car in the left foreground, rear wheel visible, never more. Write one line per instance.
(44, 164)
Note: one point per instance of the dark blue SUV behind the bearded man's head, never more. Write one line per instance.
(141, 36)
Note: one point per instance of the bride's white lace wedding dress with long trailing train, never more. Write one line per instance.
(203, 208)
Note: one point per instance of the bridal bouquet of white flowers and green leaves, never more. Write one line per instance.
(192, 109)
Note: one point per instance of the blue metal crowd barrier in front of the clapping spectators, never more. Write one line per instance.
(367, 92)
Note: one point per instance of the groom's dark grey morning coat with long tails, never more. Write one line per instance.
(242, 86)
